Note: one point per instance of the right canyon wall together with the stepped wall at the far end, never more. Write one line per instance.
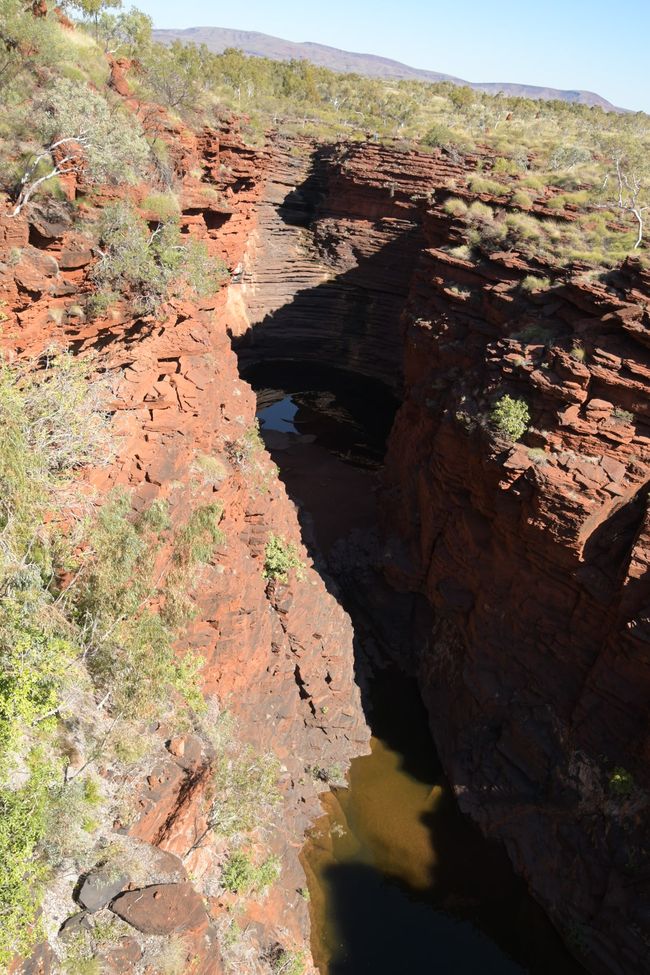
(533, 555)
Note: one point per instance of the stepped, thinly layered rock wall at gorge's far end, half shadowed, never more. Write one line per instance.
(328, 269)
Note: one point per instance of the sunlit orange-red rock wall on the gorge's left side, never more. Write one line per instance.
(278, 656)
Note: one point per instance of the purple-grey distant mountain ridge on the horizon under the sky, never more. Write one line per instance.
(217, 39)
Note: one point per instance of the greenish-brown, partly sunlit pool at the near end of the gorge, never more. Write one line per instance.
(401, 882)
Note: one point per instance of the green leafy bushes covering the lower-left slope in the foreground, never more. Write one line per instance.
(66, 647)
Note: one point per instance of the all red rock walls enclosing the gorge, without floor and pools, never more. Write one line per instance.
(533, 556)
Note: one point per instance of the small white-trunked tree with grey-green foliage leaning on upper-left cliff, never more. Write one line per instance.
(81, 133)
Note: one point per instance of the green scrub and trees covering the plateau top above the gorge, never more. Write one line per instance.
(586, 170)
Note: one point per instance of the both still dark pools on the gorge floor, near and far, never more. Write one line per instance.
(400, 882)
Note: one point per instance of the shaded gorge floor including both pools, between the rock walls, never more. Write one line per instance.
(470, 909)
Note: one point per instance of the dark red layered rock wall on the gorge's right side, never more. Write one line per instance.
(534, 558)
